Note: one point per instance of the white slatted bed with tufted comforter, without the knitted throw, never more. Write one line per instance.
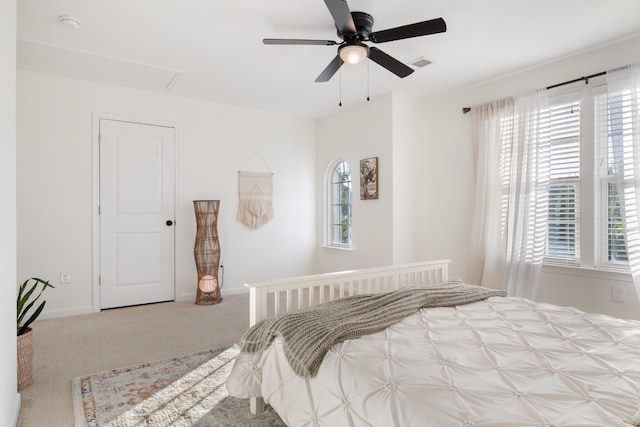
(497, 361)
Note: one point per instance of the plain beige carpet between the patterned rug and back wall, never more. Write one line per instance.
(76, 346)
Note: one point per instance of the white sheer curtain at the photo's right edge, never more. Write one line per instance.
(623, 93)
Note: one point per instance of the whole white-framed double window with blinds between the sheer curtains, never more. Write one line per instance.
(591, 139)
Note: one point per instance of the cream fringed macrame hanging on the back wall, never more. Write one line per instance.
(255, 191)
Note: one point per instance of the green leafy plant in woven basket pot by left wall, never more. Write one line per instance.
(26, 317)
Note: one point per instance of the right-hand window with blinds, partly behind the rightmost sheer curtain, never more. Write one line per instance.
(613, 138)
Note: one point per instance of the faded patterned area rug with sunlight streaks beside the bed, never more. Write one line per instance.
(181, 391)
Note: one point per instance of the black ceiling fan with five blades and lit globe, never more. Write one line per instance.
(354, 28)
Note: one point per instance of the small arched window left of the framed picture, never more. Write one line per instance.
(339, 204)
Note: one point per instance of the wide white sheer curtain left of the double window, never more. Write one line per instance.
(511, 152)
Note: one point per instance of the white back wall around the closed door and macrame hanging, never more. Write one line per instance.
(55, 172)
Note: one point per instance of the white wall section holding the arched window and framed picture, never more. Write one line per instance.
(384, 230)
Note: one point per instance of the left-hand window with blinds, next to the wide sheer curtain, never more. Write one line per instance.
(563, 223)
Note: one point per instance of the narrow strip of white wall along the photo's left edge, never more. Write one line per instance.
(9, 397)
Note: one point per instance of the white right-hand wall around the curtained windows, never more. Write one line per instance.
(448, 150)
